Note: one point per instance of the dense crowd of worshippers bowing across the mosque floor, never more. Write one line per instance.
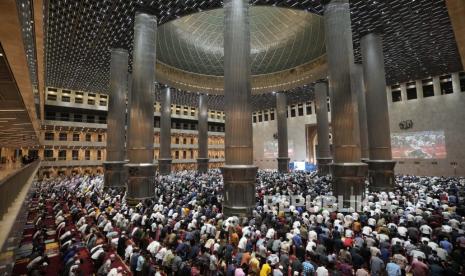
(182, 231)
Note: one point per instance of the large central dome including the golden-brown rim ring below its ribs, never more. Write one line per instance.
(190, 49)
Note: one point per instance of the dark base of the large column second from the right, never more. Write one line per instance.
(349, 183)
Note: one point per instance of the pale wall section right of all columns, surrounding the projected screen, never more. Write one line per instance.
(441, 112)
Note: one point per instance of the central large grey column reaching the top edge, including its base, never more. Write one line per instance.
(239, 173)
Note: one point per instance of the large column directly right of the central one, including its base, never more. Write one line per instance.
(347, 170)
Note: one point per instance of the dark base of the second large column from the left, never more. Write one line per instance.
(141, 182)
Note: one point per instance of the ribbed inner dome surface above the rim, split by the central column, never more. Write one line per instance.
(281, 39)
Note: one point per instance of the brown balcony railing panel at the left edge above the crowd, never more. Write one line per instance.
(13, 184)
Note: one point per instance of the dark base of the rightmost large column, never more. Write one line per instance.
(381, 175)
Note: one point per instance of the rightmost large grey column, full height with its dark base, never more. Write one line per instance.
(380, 165)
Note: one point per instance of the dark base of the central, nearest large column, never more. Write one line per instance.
(239, 190)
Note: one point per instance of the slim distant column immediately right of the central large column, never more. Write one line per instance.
(281, 120)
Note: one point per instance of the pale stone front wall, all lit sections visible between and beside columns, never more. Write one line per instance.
(438, 113)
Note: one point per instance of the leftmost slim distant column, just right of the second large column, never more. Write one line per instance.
(164, 160)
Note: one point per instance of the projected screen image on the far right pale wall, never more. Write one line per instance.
(419, 145)
